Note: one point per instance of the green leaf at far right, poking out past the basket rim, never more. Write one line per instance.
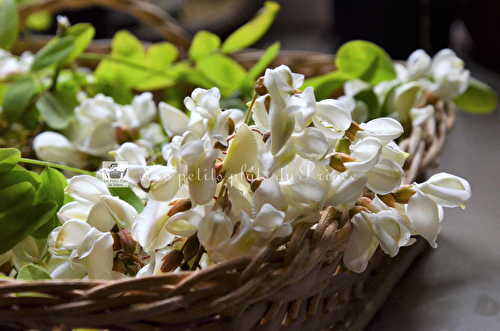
(479, 98)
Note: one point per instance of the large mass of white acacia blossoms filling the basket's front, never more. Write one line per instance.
(228, 188)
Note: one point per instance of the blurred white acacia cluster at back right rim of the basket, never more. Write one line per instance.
(409, 98)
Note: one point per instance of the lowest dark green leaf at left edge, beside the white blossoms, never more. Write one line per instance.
(20, 222)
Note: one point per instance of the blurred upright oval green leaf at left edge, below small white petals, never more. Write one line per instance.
(17, 98)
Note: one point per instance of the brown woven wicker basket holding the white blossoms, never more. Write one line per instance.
(297, 283)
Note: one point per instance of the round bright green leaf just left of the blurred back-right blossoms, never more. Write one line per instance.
(365, 60)
